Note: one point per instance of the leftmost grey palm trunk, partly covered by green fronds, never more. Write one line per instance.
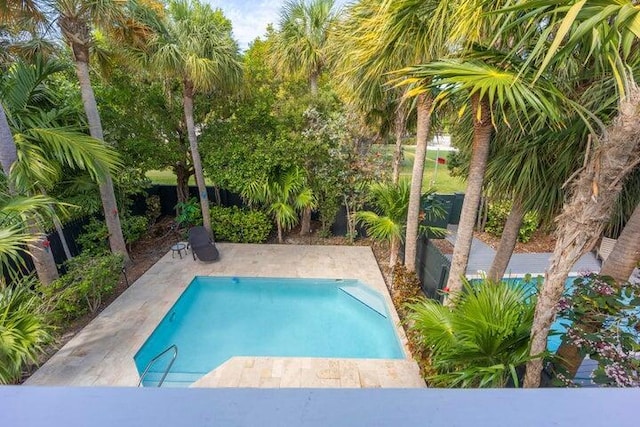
(39, 250)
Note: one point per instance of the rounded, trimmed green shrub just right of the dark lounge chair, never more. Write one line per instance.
(237, 225)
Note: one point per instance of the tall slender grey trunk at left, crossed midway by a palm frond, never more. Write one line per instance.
(109, 205)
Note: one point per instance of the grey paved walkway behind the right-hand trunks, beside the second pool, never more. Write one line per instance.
(481, 257)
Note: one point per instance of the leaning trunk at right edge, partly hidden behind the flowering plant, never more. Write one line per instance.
(620, 264)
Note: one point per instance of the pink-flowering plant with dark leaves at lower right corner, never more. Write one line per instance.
(605, 325)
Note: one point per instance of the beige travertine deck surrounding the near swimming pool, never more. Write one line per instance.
(102, 353)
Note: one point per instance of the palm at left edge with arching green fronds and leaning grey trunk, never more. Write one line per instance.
(43, 145)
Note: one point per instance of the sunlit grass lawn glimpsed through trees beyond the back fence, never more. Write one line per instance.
(440, 180)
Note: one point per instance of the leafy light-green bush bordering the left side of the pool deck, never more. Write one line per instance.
(88, 280)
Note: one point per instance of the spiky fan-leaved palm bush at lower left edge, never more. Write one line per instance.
(23, 330)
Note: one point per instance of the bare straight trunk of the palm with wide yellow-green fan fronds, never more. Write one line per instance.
(482, 132)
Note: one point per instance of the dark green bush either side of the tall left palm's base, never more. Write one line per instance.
(95, 236)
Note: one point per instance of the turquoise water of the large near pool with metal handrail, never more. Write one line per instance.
(217, 318)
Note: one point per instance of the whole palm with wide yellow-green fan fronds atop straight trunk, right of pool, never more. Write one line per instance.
(489, 88)
